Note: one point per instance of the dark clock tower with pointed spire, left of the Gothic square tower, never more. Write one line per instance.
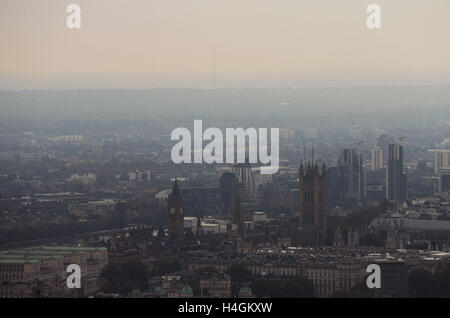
(176, 214)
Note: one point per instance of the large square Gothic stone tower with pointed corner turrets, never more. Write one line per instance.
(312, 203)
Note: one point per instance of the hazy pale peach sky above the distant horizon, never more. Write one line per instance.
(170, 43)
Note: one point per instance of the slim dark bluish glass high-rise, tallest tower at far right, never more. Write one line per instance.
(396, 177)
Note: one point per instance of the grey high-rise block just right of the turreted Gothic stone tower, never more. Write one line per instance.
(351, 174)
